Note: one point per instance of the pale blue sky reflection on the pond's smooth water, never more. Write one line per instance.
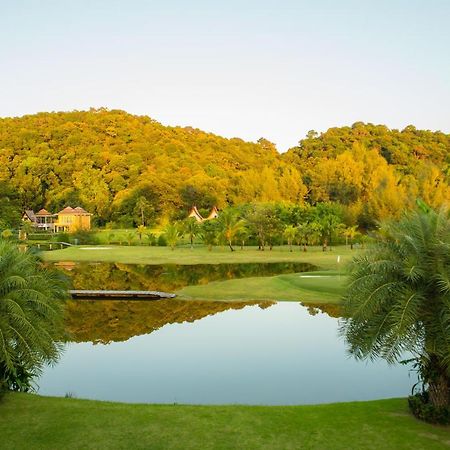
(280, 355)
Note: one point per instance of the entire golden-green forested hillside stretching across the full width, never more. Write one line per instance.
(109, 161)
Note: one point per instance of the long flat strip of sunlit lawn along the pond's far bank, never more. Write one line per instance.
(200, 255)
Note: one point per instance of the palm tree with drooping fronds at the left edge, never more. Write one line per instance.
(31, 316)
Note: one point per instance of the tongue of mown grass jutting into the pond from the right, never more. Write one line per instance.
(317, 287)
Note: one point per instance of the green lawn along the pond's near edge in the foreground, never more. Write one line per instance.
(30, 421)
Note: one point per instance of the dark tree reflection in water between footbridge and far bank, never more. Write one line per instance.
(170, 277)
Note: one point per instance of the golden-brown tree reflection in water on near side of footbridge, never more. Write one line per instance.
(104, 321)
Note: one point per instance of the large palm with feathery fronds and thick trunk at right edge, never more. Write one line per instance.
(398, 299)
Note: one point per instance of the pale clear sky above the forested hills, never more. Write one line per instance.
(248, 69)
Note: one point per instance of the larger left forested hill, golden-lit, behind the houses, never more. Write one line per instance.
(105, 160)
